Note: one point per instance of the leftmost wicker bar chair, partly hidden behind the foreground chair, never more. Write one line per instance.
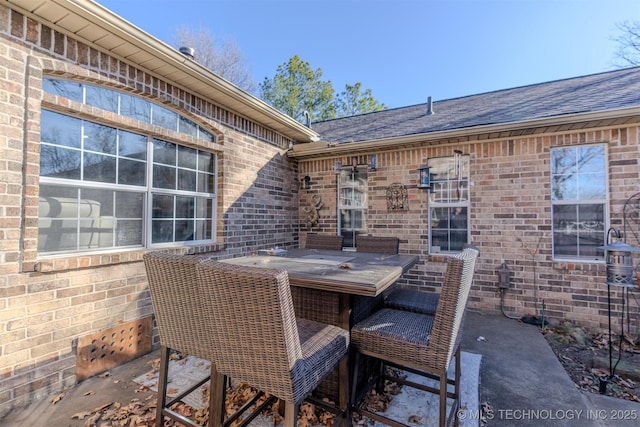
(181, 326)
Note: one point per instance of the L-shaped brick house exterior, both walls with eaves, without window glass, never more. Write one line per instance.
(50, 301)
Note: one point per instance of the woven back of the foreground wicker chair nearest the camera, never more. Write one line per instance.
(255, 329)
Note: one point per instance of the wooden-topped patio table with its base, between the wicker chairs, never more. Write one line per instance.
(335, 287)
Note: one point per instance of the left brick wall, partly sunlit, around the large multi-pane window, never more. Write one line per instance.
(46, 304)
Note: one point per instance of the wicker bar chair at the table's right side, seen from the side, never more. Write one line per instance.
(420, 343)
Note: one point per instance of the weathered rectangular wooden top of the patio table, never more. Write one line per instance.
(356, 273)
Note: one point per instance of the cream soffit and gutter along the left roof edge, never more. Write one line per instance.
(100, 28)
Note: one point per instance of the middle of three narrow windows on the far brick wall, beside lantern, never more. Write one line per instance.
(448, 203)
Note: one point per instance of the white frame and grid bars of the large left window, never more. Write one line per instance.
(71, 185)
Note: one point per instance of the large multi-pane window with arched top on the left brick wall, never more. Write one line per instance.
(106, 188)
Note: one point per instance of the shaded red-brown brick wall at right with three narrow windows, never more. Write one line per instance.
(510, 216)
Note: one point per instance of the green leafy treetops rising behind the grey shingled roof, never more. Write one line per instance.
(296, 88)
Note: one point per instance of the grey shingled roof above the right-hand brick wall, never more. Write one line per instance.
(593, 93)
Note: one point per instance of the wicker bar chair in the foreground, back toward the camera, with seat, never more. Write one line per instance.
(259, 341)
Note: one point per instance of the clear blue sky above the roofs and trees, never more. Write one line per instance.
(405, 50)
